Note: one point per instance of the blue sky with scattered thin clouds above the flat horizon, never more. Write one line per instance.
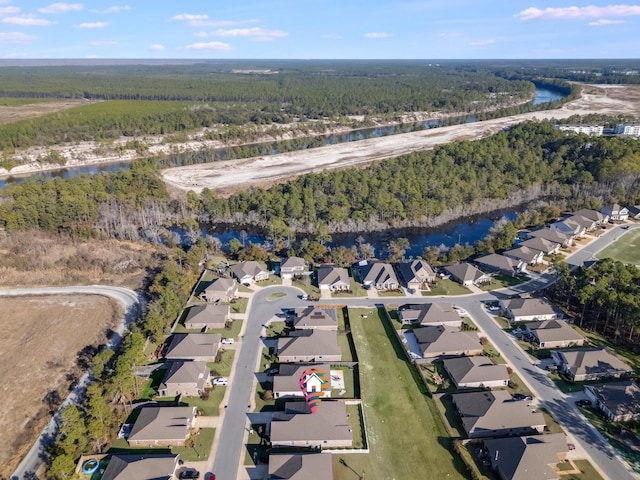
(430, 29)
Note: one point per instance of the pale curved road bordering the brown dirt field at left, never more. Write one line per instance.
(131, 306)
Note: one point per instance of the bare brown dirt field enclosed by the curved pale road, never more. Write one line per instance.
(38, 355)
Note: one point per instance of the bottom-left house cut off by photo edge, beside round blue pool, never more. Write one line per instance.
(142, 467)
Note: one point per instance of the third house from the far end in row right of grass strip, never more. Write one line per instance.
(476, 372)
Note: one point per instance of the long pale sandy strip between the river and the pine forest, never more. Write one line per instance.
(225, 178)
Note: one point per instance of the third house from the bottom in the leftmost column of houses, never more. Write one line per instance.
(185, 378)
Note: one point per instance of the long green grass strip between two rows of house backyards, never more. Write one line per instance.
(398, 423)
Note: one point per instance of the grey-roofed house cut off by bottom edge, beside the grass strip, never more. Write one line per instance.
(300, 466)
